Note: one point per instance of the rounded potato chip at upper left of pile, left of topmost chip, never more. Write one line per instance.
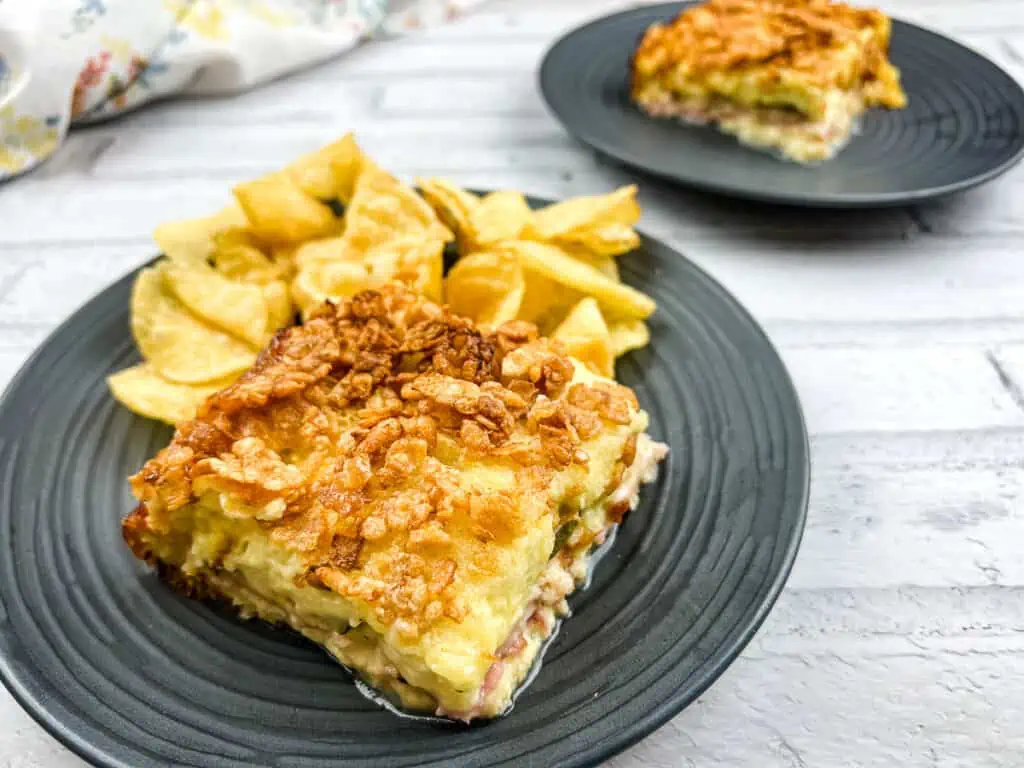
(280, 212)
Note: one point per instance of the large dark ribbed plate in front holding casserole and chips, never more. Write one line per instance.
(126, 673)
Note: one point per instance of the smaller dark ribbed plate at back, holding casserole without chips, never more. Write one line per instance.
(964, 124)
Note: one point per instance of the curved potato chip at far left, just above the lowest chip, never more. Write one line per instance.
(182, 348)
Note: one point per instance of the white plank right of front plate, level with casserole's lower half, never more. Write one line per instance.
(926, 528)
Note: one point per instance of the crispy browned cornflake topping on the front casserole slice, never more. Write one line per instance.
(351, 439)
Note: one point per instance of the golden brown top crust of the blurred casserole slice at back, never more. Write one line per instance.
(815, 42)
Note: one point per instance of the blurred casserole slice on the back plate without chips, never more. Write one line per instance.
(790, 76)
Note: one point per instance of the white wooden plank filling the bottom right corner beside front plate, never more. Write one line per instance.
(915, 710)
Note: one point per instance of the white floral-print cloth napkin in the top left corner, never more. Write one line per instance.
(65, 63)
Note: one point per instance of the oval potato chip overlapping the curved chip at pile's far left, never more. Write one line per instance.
(230, 306)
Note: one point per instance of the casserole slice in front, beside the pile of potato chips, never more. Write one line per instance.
(416, 495)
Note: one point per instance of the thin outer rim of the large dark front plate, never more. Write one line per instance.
(638, 729)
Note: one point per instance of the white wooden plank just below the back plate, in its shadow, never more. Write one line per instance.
(817, 276)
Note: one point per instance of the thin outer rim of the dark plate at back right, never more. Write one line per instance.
(854, 201)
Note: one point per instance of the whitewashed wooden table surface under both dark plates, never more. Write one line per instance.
(900, 641)
